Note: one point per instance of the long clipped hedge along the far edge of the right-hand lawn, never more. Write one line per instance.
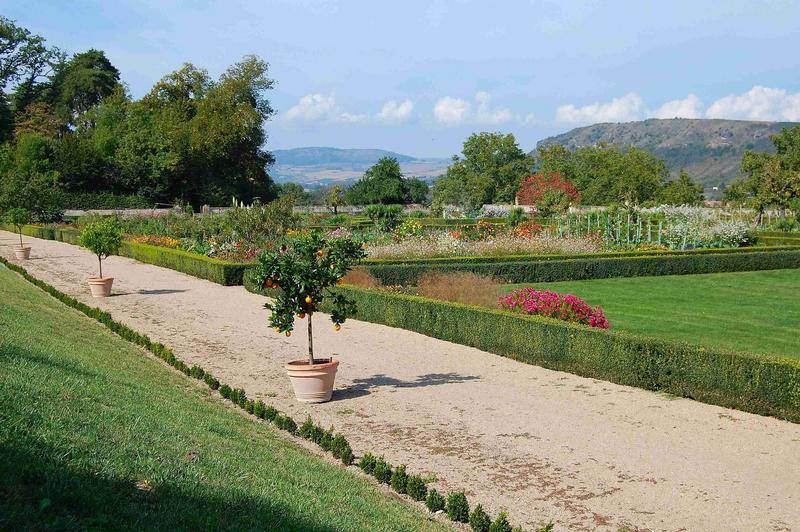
(596, 267)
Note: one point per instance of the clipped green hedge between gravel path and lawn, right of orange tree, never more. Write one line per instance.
(764, 385)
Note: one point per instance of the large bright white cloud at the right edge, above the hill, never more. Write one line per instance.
(759, 103)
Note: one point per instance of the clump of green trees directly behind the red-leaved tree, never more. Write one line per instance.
(492, 168)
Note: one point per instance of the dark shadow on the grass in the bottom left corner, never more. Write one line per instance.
(39, 491)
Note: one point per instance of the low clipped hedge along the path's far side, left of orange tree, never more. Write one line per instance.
(215, 270)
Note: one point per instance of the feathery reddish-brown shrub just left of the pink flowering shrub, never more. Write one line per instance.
(459, 287)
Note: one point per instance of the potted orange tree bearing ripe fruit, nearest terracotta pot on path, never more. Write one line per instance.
(304, 272)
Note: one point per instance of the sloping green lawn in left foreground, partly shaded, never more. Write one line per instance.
(96, 435)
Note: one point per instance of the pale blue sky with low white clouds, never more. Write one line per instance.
(419, 77)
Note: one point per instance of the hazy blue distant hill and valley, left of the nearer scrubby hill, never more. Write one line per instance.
(313, 166)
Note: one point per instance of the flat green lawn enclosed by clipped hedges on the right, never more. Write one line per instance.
(757, 312)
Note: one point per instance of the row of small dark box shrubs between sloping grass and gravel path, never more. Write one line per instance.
(334, 443)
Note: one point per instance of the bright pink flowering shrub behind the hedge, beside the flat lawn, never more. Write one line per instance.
(552, 305)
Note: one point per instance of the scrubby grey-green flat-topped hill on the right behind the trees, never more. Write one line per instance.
(709, 149)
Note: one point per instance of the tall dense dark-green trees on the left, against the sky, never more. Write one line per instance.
(68, 123)
